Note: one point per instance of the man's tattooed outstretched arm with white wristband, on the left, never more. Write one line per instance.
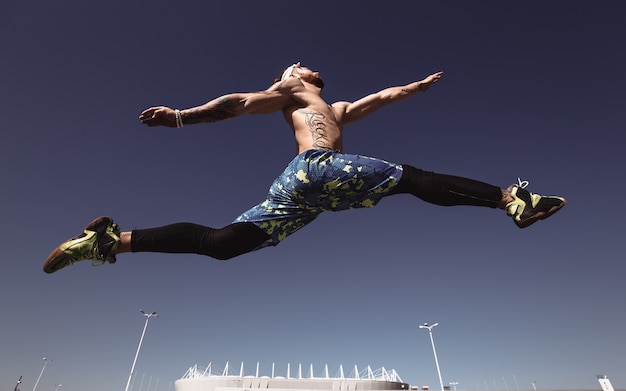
(224, 107)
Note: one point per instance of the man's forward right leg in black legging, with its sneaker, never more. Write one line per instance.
(449, 190)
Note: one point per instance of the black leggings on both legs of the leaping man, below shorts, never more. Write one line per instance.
(239, 238)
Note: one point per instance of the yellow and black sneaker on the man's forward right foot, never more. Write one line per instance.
(526, 208)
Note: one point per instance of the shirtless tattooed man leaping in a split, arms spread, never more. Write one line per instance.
(320, 178)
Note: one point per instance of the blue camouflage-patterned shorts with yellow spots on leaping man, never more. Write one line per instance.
(316, 181)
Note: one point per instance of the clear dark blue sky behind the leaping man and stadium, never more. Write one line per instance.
(531, 89)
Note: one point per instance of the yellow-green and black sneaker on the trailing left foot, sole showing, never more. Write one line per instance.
(98, 240)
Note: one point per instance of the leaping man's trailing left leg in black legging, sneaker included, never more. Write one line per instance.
(101, 240)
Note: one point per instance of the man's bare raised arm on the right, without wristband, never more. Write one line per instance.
(363, 107)
